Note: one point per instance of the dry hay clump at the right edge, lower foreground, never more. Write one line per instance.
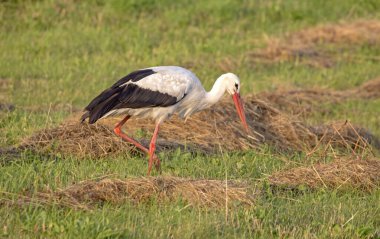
(359, 174)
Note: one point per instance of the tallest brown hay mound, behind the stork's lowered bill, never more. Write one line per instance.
(219, 128)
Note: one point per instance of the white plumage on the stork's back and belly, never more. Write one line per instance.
(176, 82)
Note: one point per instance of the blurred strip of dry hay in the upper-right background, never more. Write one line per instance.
(305, 46)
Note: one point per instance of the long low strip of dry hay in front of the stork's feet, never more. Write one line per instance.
(196, 192)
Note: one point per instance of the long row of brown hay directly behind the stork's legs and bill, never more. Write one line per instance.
(208, 131)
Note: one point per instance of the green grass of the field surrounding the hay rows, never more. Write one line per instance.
(65, 52)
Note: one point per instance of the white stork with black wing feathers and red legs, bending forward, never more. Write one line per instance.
(157, 93)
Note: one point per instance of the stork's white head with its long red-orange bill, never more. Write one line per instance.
(233, 88)
